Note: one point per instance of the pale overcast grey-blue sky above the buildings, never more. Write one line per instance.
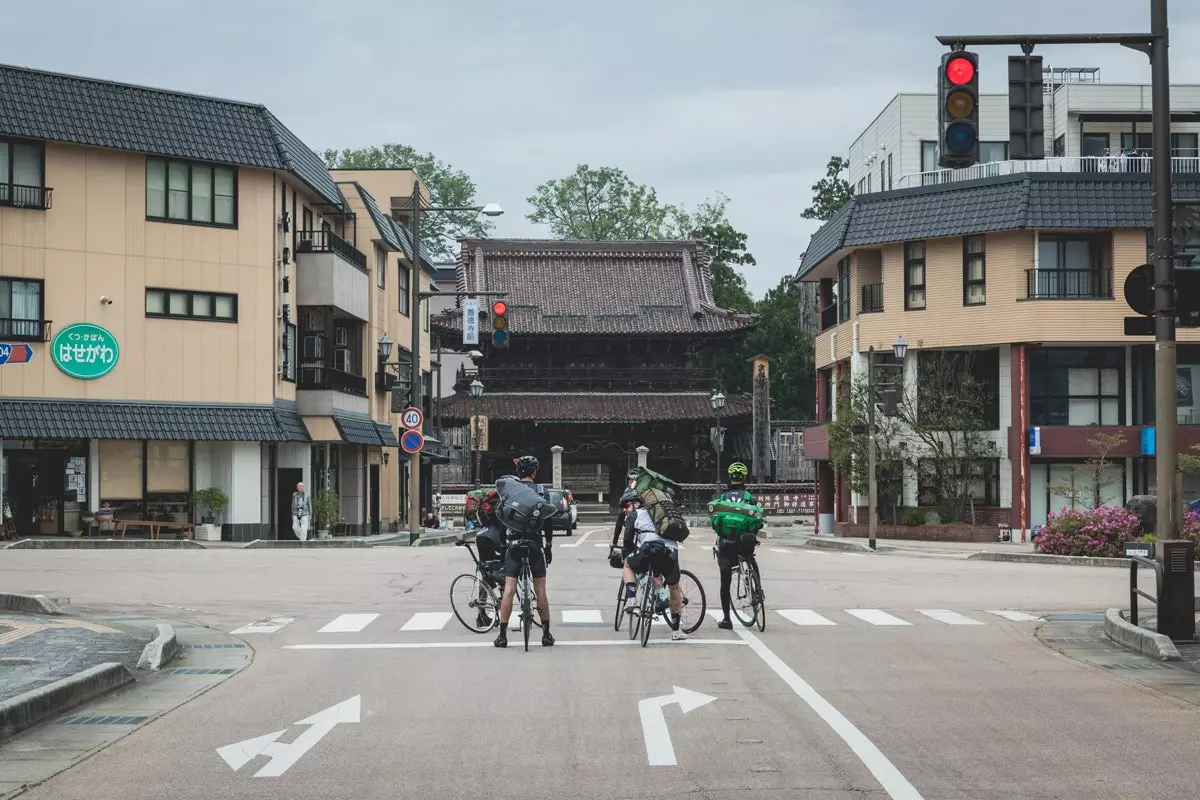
(689, 97)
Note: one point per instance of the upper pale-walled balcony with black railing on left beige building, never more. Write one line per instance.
(331, 272)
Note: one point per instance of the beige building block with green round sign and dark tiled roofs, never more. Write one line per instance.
(188, 300)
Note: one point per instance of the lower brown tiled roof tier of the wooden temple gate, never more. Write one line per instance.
(593, 407)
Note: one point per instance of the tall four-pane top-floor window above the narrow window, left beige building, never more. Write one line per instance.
(182, 191)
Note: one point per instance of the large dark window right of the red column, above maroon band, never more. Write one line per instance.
(1077, 387)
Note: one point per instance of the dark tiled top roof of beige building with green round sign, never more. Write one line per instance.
(124, 117)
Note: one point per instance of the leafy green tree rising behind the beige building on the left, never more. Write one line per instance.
(448, 188)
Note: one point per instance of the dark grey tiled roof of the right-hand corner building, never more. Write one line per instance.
(1045, 201)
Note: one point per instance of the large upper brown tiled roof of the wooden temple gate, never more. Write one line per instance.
(587, 287)
